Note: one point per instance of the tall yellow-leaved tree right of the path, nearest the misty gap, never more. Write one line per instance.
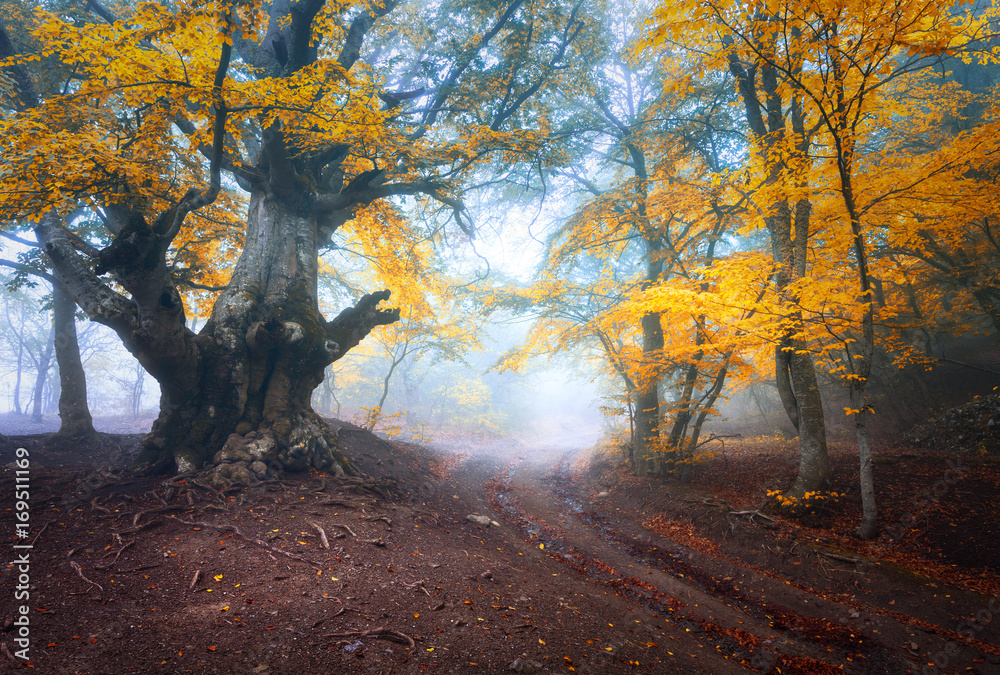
(643, 170)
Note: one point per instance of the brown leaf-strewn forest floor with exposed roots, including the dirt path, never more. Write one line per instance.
(649, 577)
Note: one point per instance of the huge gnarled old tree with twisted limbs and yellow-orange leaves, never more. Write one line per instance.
(322, 113)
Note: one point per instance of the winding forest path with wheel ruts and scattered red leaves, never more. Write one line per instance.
(726, 615)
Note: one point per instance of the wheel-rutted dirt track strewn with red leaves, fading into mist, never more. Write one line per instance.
(754, 619)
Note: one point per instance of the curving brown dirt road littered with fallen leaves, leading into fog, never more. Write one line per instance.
(711, 612)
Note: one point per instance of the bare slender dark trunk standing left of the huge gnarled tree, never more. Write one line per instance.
(73, 410)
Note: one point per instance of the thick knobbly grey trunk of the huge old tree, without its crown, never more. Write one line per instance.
(253, 367)
